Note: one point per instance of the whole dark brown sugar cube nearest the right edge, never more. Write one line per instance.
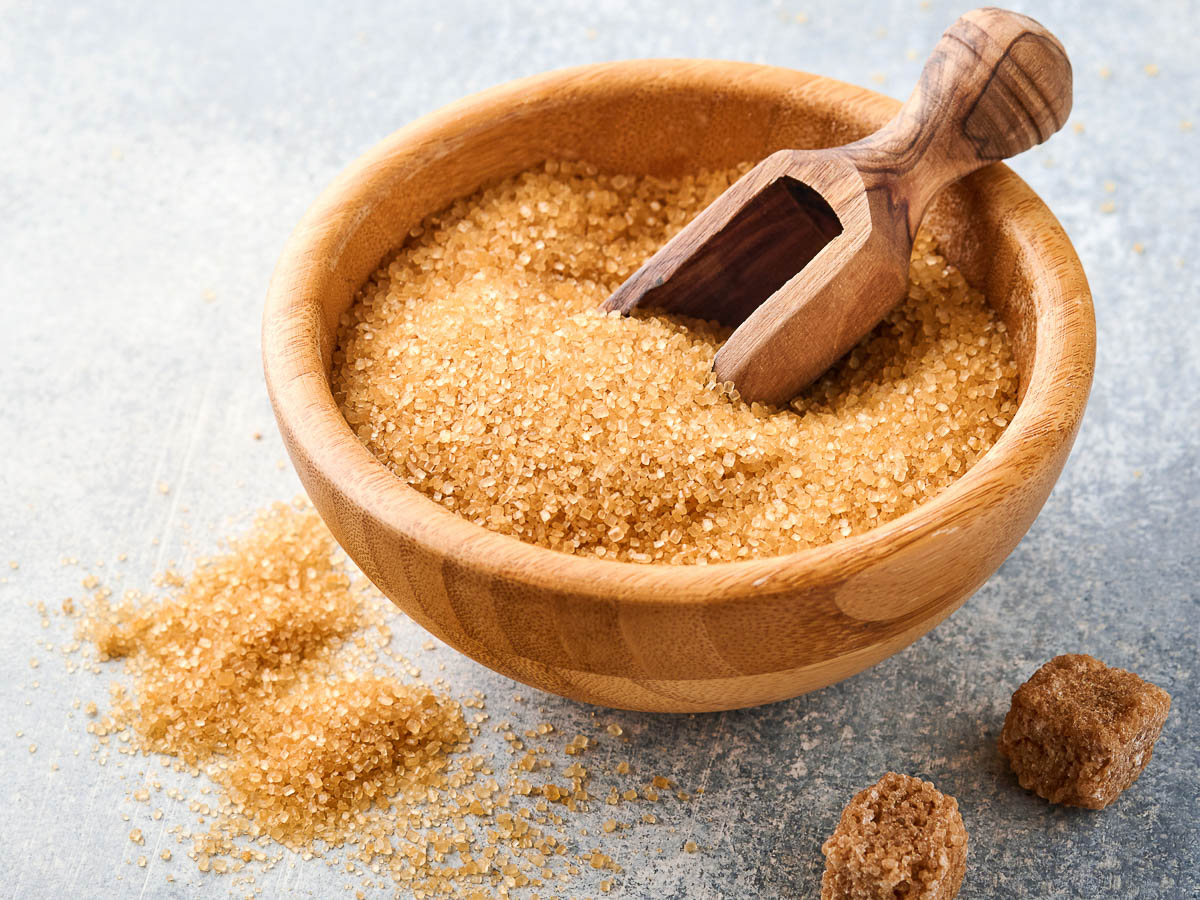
(1081, 733)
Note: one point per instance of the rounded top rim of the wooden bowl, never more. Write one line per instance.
(1053, 405)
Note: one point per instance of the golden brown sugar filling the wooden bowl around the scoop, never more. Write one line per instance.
(477, 367)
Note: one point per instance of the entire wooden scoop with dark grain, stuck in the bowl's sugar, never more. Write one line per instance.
(809, 250)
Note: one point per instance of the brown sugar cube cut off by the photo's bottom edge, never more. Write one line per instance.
(902, 837)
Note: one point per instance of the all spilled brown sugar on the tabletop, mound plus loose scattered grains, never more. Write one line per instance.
(268, 668)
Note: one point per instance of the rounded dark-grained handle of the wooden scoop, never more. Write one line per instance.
(995, 86)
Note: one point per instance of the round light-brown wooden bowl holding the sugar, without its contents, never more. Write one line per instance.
(661, 638)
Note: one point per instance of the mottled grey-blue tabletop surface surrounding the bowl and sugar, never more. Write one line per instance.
(157, 157)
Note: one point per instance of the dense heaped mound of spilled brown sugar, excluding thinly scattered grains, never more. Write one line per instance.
(238, 670)
